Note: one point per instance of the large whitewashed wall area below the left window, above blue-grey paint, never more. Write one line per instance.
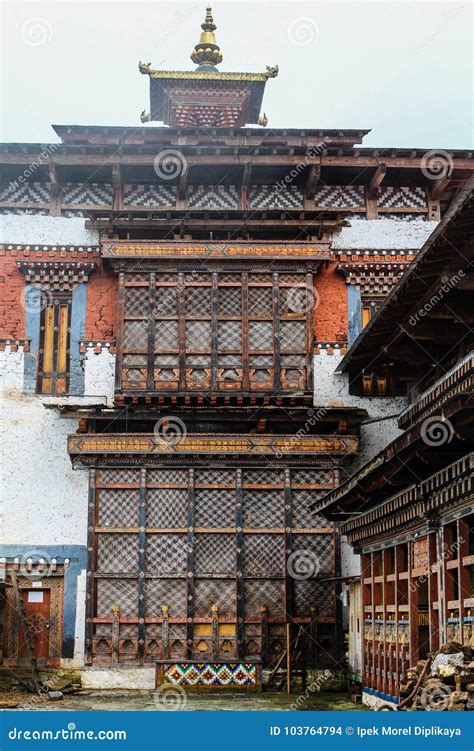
(43, 501)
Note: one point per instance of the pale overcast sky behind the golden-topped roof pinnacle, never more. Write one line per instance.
(403, 69)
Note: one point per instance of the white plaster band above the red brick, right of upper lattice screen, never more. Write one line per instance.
(383, 234)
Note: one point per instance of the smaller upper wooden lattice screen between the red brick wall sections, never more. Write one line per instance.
(215, 332)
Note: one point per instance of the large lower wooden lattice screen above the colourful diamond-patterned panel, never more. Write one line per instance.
(193, 562)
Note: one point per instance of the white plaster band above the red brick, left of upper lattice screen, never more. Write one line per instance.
(50, 230)
